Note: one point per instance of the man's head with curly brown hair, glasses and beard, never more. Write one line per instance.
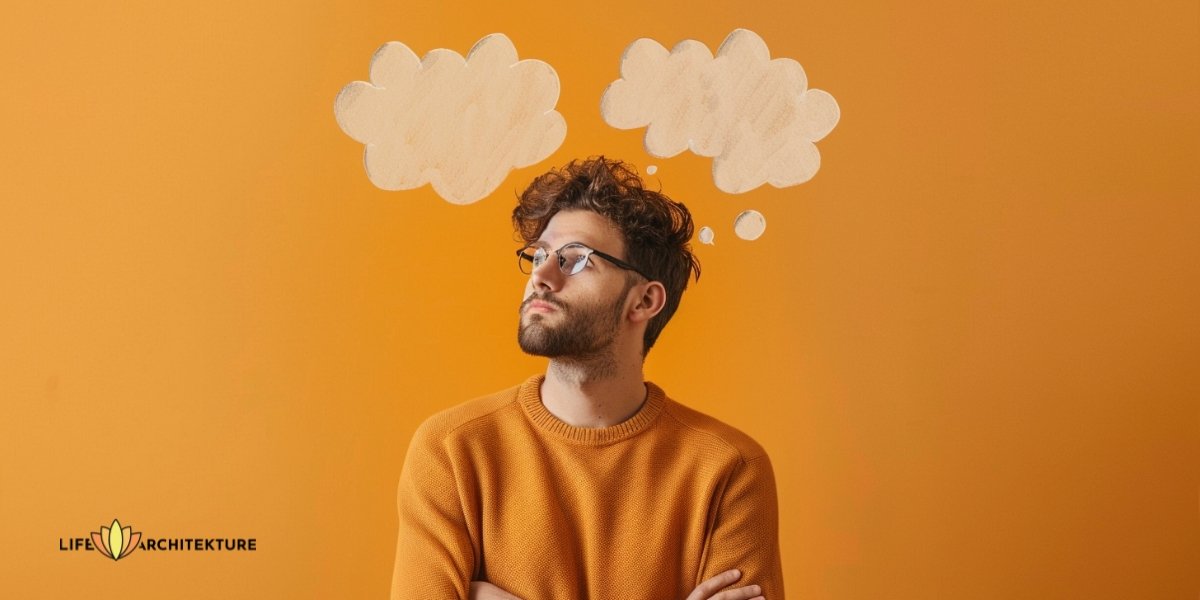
(632, 239)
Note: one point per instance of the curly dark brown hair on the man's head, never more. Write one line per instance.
(656, 229)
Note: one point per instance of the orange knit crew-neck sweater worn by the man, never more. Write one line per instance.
(500, 490)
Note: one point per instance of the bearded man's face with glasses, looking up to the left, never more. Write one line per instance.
(574, 316)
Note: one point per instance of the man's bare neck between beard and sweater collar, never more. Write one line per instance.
(586, 398)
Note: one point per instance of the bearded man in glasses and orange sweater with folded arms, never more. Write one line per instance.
(589, 482)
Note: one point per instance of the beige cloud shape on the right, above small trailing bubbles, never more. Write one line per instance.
(754, 116)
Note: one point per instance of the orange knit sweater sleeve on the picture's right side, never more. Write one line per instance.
(746, 532)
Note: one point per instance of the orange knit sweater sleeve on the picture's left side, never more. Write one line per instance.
(435, 556)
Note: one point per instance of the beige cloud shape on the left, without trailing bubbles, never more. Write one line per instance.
(459, 124)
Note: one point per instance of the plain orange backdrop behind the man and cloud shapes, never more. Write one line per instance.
(969, 344)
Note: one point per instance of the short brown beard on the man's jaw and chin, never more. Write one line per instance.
(584, 332)
